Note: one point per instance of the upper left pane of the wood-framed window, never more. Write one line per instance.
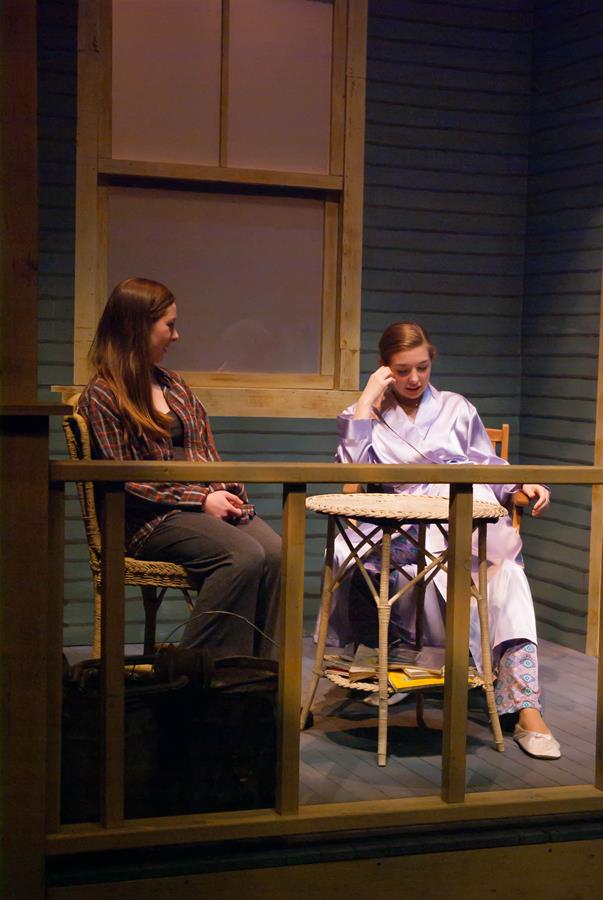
(166, 80)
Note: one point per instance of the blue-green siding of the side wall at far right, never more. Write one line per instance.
(561, 301)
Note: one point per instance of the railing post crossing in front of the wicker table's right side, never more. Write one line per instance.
(457, 643)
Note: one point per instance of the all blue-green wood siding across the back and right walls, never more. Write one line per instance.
(483, 217)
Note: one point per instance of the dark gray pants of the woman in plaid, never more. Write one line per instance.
(237, 568)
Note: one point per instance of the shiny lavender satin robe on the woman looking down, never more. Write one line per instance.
(447, 429)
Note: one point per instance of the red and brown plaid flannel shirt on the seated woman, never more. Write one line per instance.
(112, 438)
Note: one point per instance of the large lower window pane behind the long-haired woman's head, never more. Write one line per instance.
(246, 273)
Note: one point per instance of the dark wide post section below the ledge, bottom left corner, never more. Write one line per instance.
(23, 632)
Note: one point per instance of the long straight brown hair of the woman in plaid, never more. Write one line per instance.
(120, 351)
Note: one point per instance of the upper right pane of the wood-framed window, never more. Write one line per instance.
(279, 75)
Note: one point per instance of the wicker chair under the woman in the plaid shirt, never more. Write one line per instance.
(154, 578)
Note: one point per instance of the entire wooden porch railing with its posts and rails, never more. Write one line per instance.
(288, 817)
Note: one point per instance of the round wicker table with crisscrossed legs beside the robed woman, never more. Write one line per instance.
(388, 513)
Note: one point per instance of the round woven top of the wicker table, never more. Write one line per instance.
(399, 507)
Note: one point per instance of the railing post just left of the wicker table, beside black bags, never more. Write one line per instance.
(291, 633)
